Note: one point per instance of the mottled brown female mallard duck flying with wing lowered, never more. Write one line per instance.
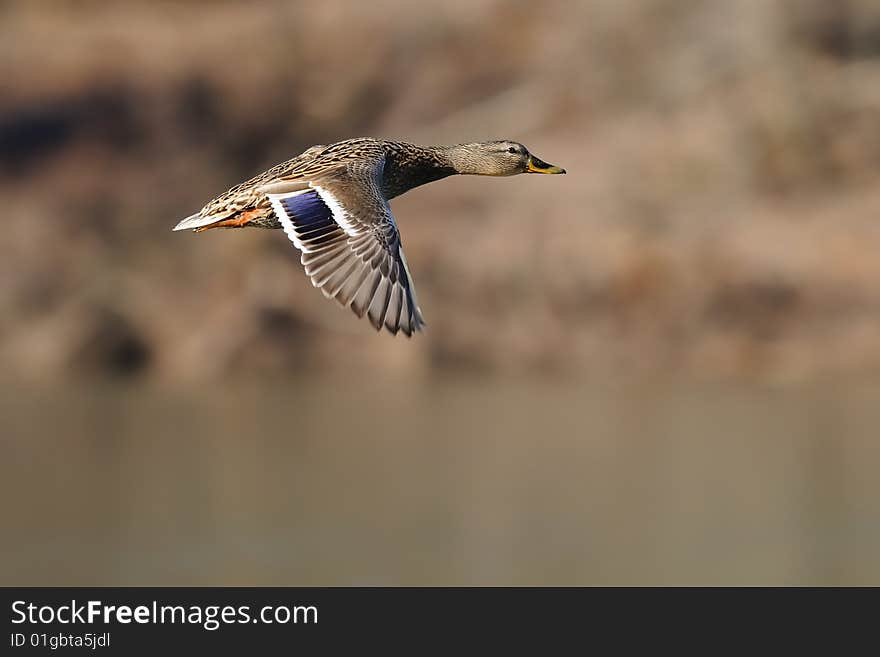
(332, 202)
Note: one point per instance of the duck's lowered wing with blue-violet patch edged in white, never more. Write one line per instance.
(350, 245)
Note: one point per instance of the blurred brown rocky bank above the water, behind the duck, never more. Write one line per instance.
(721, 216)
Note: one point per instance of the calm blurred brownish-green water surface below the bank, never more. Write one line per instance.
(454, 482)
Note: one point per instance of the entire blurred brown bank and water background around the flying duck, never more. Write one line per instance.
(662, 368)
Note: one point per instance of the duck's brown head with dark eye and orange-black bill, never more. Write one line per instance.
(497, 158)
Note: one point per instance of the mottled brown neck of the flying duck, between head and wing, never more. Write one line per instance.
(408, 166)
